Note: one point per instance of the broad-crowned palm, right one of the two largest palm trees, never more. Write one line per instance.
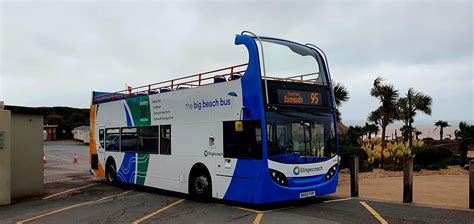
(408, 106)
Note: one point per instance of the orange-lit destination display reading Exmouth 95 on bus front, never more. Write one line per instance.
(297, 97)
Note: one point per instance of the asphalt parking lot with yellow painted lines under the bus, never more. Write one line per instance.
(72, 196)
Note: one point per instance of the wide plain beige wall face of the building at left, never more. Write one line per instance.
(26, 155)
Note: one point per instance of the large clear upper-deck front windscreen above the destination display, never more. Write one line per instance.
(285, 59)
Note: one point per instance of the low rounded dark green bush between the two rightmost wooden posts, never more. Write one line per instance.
(427, 155)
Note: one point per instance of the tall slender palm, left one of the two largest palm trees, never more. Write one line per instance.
(387, 95)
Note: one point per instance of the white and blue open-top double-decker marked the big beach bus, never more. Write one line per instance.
(259, 132)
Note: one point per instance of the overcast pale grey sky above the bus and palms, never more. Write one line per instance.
(54, 53)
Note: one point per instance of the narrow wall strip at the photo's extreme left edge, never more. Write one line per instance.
(5, 158)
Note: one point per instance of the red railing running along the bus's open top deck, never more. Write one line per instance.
(192, 81)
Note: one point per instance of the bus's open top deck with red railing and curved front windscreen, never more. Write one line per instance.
(310, 67)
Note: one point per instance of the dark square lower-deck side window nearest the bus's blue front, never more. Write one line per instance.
(244, 144)
